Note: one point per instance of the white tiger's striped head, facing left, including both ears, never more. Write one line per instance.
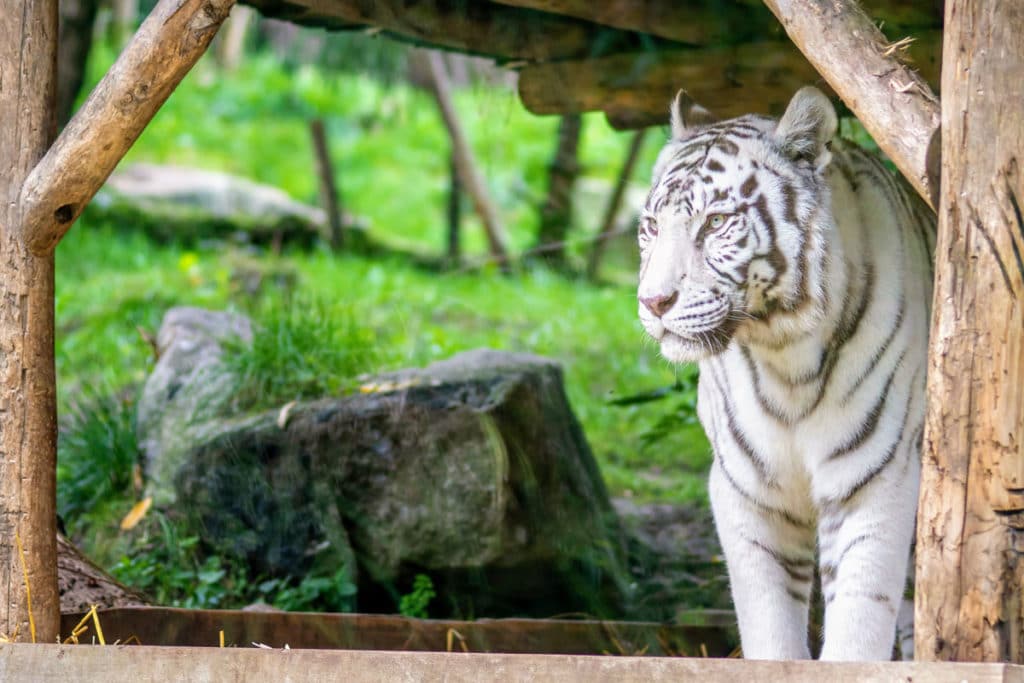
(732, 236)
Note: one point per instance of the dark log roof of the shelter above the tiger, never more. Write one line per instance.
(626, 58)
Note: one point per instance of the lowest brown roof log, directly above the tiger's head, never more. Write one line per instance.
(635, 90)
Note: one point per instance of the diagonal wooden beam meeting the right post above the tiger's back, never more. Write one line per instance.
(893, 102)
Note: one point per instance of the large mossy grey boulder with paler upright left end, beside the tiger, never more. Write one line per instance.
(473, 471)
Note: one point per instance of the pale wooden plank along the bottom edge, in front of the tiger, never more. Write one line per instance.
(159, 665)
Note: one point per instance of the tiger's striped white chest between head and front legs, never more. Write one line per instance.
(798, 433)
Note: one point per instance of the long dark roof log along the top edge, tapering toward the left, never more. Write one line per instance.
(466, 26)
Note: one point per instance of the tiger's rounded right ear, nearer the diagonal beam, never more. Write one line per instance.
(807, 127)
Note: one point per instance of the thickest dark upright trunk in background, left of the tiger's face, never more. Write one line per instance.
(557, 215)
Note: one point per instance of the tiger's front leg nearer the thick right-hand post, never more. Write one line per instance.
(865, 550)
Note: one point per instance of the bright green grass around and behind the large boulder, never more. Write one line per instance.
(347, 315)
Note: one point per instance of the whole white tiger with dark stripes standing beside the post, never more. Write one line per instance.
(797, 272)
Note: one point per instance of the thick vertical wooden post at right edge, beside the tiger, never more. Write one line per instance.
(971, 520)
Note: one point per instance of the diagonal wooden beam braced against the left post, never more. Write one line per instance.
(165, 49)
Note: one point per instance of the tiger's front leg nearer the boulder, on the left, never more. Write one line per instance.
(772, 566)
